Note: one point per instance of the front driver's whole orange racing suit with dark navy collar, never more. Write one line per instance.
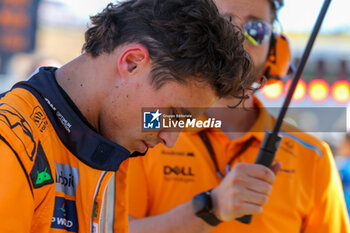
(56, 173)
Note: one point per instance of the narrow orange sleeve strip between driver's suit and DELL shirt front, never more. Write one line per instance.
(138, 188)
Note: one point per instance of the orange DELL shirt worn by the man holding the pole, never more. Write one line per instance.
(306, 197)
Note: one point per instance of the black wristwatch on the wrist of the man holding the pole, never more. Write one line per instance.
(203, 208)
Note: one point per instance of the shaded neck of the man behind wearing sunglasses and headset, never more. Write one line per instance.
(238, 121)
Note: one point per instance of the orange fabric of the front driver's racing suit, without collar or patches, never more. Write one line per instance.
(22, 211)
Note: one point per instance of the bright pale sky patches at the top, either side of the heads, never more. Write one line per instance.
(297, 15)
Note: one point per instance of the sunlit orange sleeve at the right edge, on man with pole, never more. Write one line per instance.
(329, 213)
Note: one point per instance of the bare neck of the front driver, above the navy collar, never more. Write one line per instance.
(81, 80)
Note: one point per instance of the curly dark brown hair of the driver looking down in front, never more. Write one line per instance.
(186, 39)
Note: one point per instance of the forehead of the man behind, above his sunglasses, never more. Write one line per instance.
(243, 10)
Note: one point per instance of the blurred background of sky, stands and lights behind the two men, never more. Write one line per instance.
(35, 33)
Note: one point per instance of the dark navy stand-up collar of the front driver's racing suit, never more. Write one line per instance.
(82, 141)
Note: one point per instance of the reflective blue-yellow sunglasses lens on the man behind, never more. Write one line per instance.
(257, 32)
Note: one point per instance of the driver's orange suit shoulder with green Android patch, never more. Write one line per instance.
(19, 118)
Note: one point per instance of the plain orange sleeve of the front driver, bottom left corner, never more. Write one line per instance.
(16, 199)
